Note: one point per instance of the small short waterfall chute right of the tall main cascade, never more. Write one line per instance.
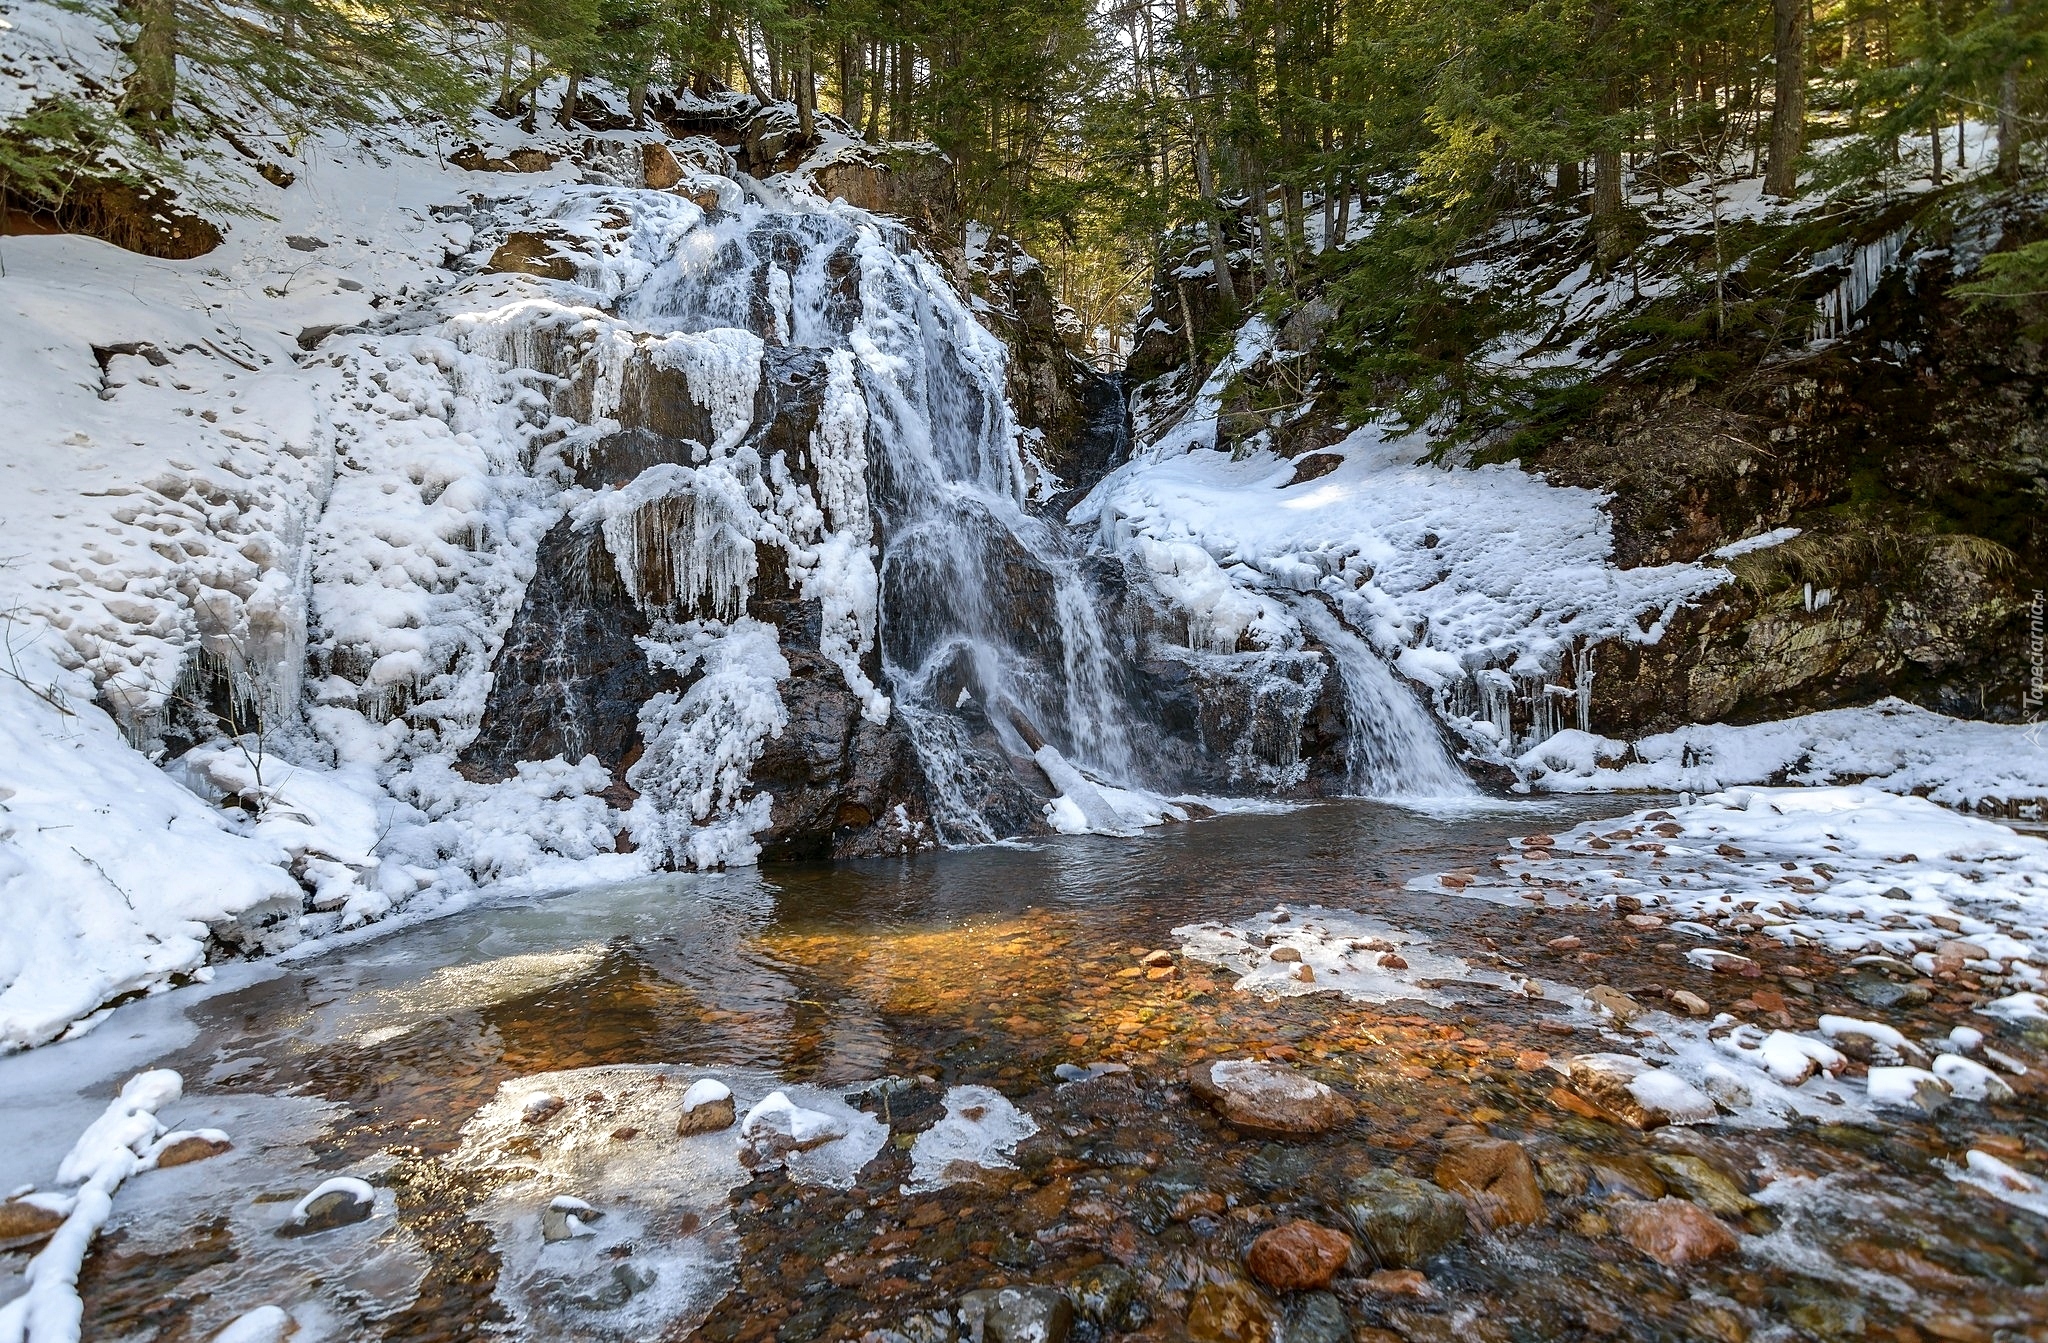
(1394, 746)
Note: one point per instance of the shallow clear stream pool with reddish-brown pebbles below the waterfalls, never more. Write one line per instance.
(482, 1066)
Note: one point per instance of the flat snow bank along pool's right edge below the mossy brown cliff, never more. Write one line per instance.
(1891, 746)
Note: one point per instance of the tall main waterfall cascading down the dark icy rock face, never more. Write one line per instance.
(988, 627)
